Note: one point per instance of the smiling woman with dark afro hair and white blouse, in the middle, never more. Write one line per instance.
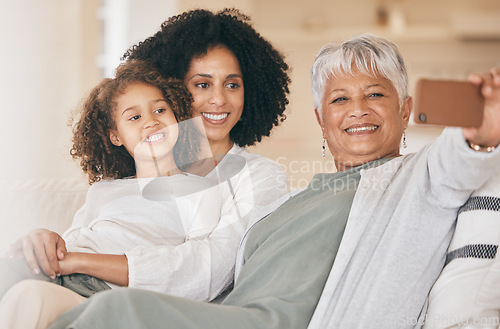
(239, 85)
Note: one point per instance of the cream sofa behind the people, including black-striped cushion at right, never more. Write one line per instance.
(466, 293)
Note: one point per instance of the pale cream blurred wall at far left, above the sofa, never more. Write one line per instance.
(44, 54)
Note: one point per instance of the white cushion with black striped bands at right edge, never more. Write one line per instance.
(467, 293)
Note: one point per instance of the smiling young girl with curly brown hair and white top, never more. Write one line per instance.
(133, 133)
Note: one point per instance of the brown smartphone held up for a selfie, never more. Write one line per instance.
(448, 103)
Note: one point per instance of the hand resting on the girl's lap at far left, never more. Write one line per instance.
(43, 249)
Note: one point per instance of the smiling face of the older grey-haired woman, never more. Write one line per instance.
(361, 118)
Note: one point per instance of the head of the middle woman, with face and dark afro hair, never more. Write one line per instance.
(185, 42)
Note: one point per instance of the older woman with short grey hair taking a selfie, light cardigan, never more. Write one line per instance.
(359, 248)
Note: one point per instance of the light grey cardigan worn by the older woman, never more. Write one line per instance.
(397, 234)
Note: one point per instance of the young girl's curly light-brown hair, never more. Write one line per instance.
(100, 159)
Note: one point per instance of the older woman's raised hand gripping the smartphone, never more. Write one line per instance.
(488, 134)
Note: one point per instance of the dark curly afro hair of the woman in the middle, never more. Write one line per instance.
(189, 35)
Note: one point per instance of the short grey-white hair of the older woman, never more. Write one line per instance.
(368, 53)
